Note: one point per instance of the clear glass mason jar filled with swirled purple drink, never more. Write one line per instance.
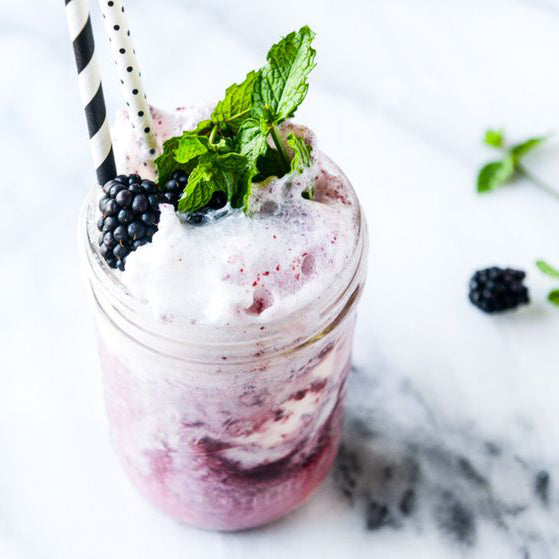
(223, 427)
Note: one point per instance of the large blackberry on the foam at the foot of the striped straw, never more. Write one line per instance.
(130, 214)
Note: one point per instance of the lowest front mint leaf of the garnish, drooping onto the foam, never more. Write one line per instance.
(212, 173)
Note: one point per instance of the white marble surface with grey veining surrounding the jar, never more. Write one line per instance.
(400, 98)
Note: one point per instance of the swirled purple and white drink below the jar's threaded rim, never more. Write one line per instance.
(227, 448)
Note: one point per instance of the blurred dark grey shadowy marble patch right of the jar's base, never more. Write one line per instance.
(420, 474)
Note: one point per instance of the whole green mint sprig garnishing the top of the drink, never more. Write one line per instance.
(240, 143)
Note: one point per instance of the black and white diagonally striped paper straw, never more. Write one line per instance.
(91, 90)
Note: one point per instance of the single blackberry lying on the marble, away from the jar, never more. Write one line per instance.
(498, 289)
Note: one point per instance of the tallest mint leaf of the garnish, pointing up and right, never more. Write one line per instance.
(281, 85)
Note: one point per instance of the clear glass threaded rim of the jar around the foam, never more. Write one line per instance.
(284, 332)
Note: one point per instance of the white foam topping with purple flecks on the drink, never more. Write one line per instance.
(239, 269)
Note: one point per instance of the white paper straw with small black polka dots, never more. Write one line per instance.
(124, 54)
